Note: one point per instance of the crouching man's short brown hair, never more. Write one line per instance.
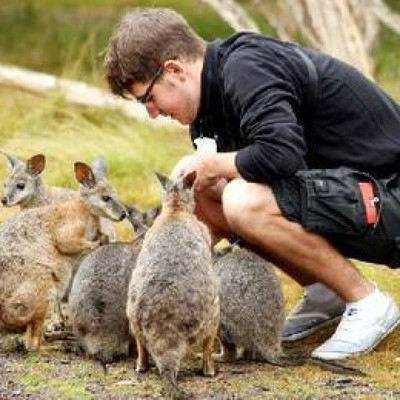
(144, 39)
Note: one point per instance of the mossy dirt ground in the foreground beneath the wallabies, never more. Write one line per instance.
(55, 373)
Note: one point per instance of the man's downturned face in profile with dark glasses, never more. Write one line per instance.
(173, 93)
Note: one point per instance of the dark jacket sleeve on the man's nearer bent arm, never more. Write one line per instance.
(264, 93)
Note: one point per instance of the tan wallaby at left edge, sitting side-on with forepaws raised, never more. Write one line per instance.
(37, 246)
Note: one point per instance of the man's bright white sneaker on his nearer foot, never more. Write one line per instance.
(365, 323)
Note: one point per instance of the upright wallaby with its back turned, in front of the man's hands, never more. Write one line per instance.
(173, 297)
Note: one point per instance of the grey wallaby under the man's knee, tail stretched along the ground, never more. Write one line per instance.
(252, 312)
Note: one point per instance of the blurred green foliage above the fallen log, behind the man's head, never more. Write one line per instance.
(67, 37)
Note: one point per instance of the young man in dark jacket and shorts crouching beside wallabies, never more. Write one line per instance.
(305, 173)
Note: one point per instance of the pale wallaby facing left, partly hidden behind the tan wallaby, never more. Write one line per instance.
(25, 187)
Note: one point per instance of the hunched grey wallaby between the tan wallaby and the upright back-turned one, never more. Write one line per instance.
(97, 301)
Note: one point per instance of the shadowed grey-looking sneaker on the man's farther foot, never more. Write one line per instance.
(319, 308)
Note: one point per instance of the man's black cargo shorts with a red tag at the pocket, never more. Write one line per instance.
(331, 203)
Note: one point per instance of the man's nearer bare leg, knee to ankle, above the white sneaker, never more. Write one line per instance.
(252, 212)
